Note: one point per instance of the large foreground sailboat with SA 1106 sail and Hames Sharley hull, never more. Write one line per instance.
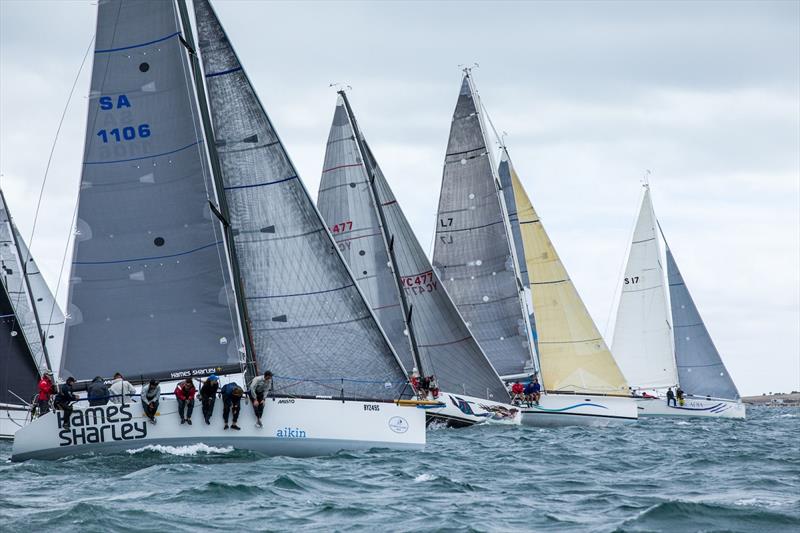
(198, 250)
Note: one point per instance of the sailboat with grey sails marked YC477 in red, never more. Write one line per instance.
(413, 307)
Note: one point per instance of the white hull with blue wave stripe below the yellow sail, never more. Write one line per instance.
(555, 410)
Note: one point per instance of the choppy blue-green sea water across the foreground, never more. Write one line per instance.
(656, 475)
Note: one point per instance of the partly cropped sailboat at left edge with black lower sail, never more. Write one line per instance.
(23, 356)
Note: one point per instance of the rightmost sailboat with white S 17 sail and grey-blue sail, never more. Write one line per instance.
(660, 339)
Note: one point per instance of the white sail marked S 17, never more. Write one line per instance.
(642, 332)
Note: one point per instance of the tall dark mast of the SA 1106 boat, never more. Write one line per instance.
(221, 210)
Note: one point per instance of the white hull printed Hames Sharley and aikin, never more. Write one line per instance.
(292, 427)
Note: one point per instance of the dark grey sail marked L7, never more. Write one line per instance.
(471, 252)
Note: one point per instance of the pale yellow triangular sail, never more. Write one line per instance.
(572, 353)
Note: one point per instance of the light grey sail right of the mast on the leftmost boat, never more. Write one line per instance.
(49, 314)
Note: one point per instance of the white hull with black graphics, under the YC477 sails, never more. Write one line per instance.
(459, 410)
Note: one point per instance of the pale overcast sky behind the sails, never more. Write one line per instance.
(704, 94)
